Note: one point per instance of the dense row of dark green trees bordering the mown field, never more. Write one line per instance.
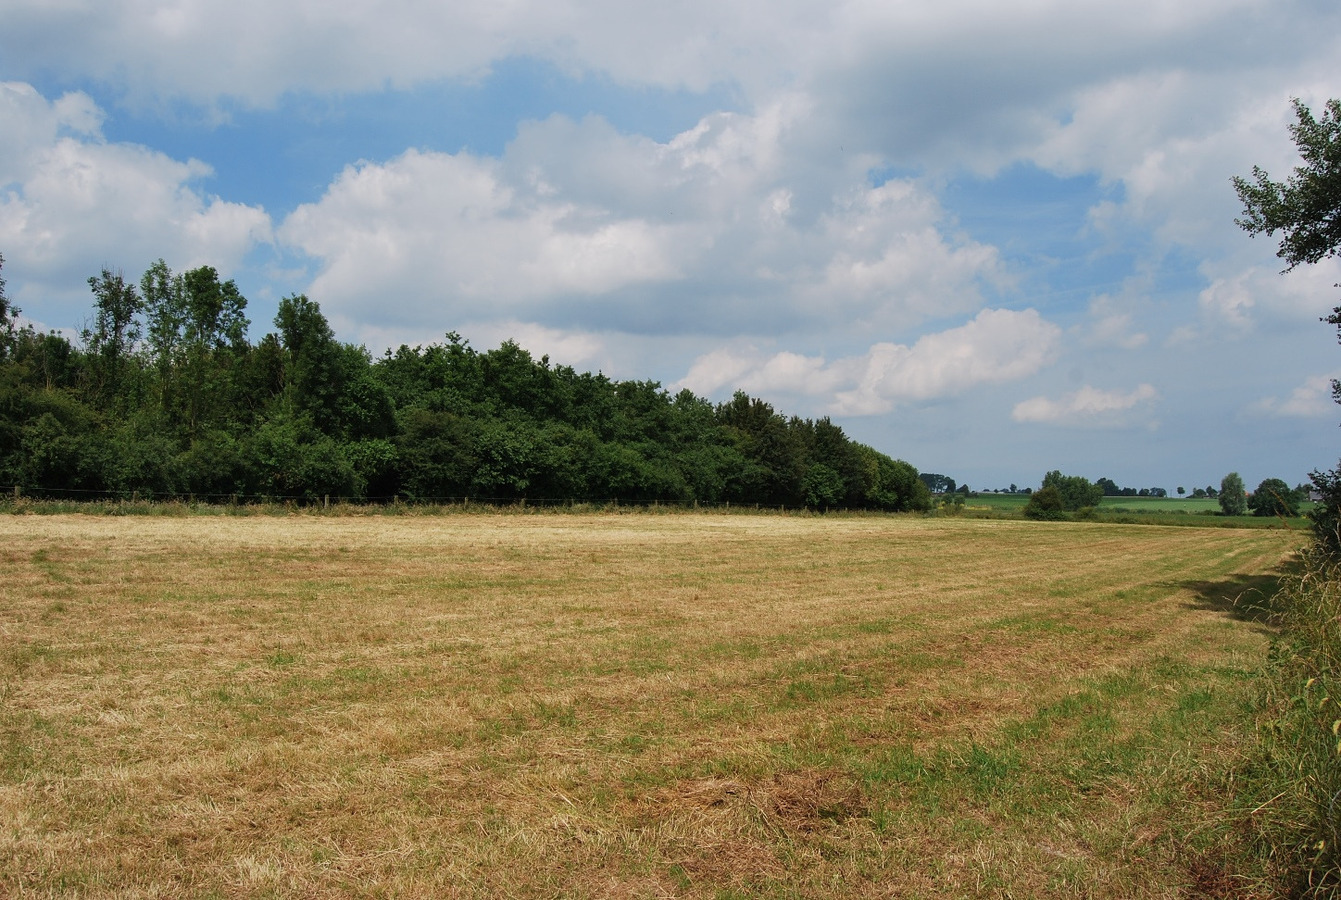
(166, 395)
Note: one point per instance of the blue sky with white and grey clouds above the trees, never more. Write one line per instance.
(988, 237)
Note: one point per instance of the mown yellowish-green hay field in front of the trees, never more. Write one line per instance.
(624, 706)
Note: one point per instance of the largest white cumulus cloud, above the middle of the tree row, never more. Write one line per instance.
(604, 230)
